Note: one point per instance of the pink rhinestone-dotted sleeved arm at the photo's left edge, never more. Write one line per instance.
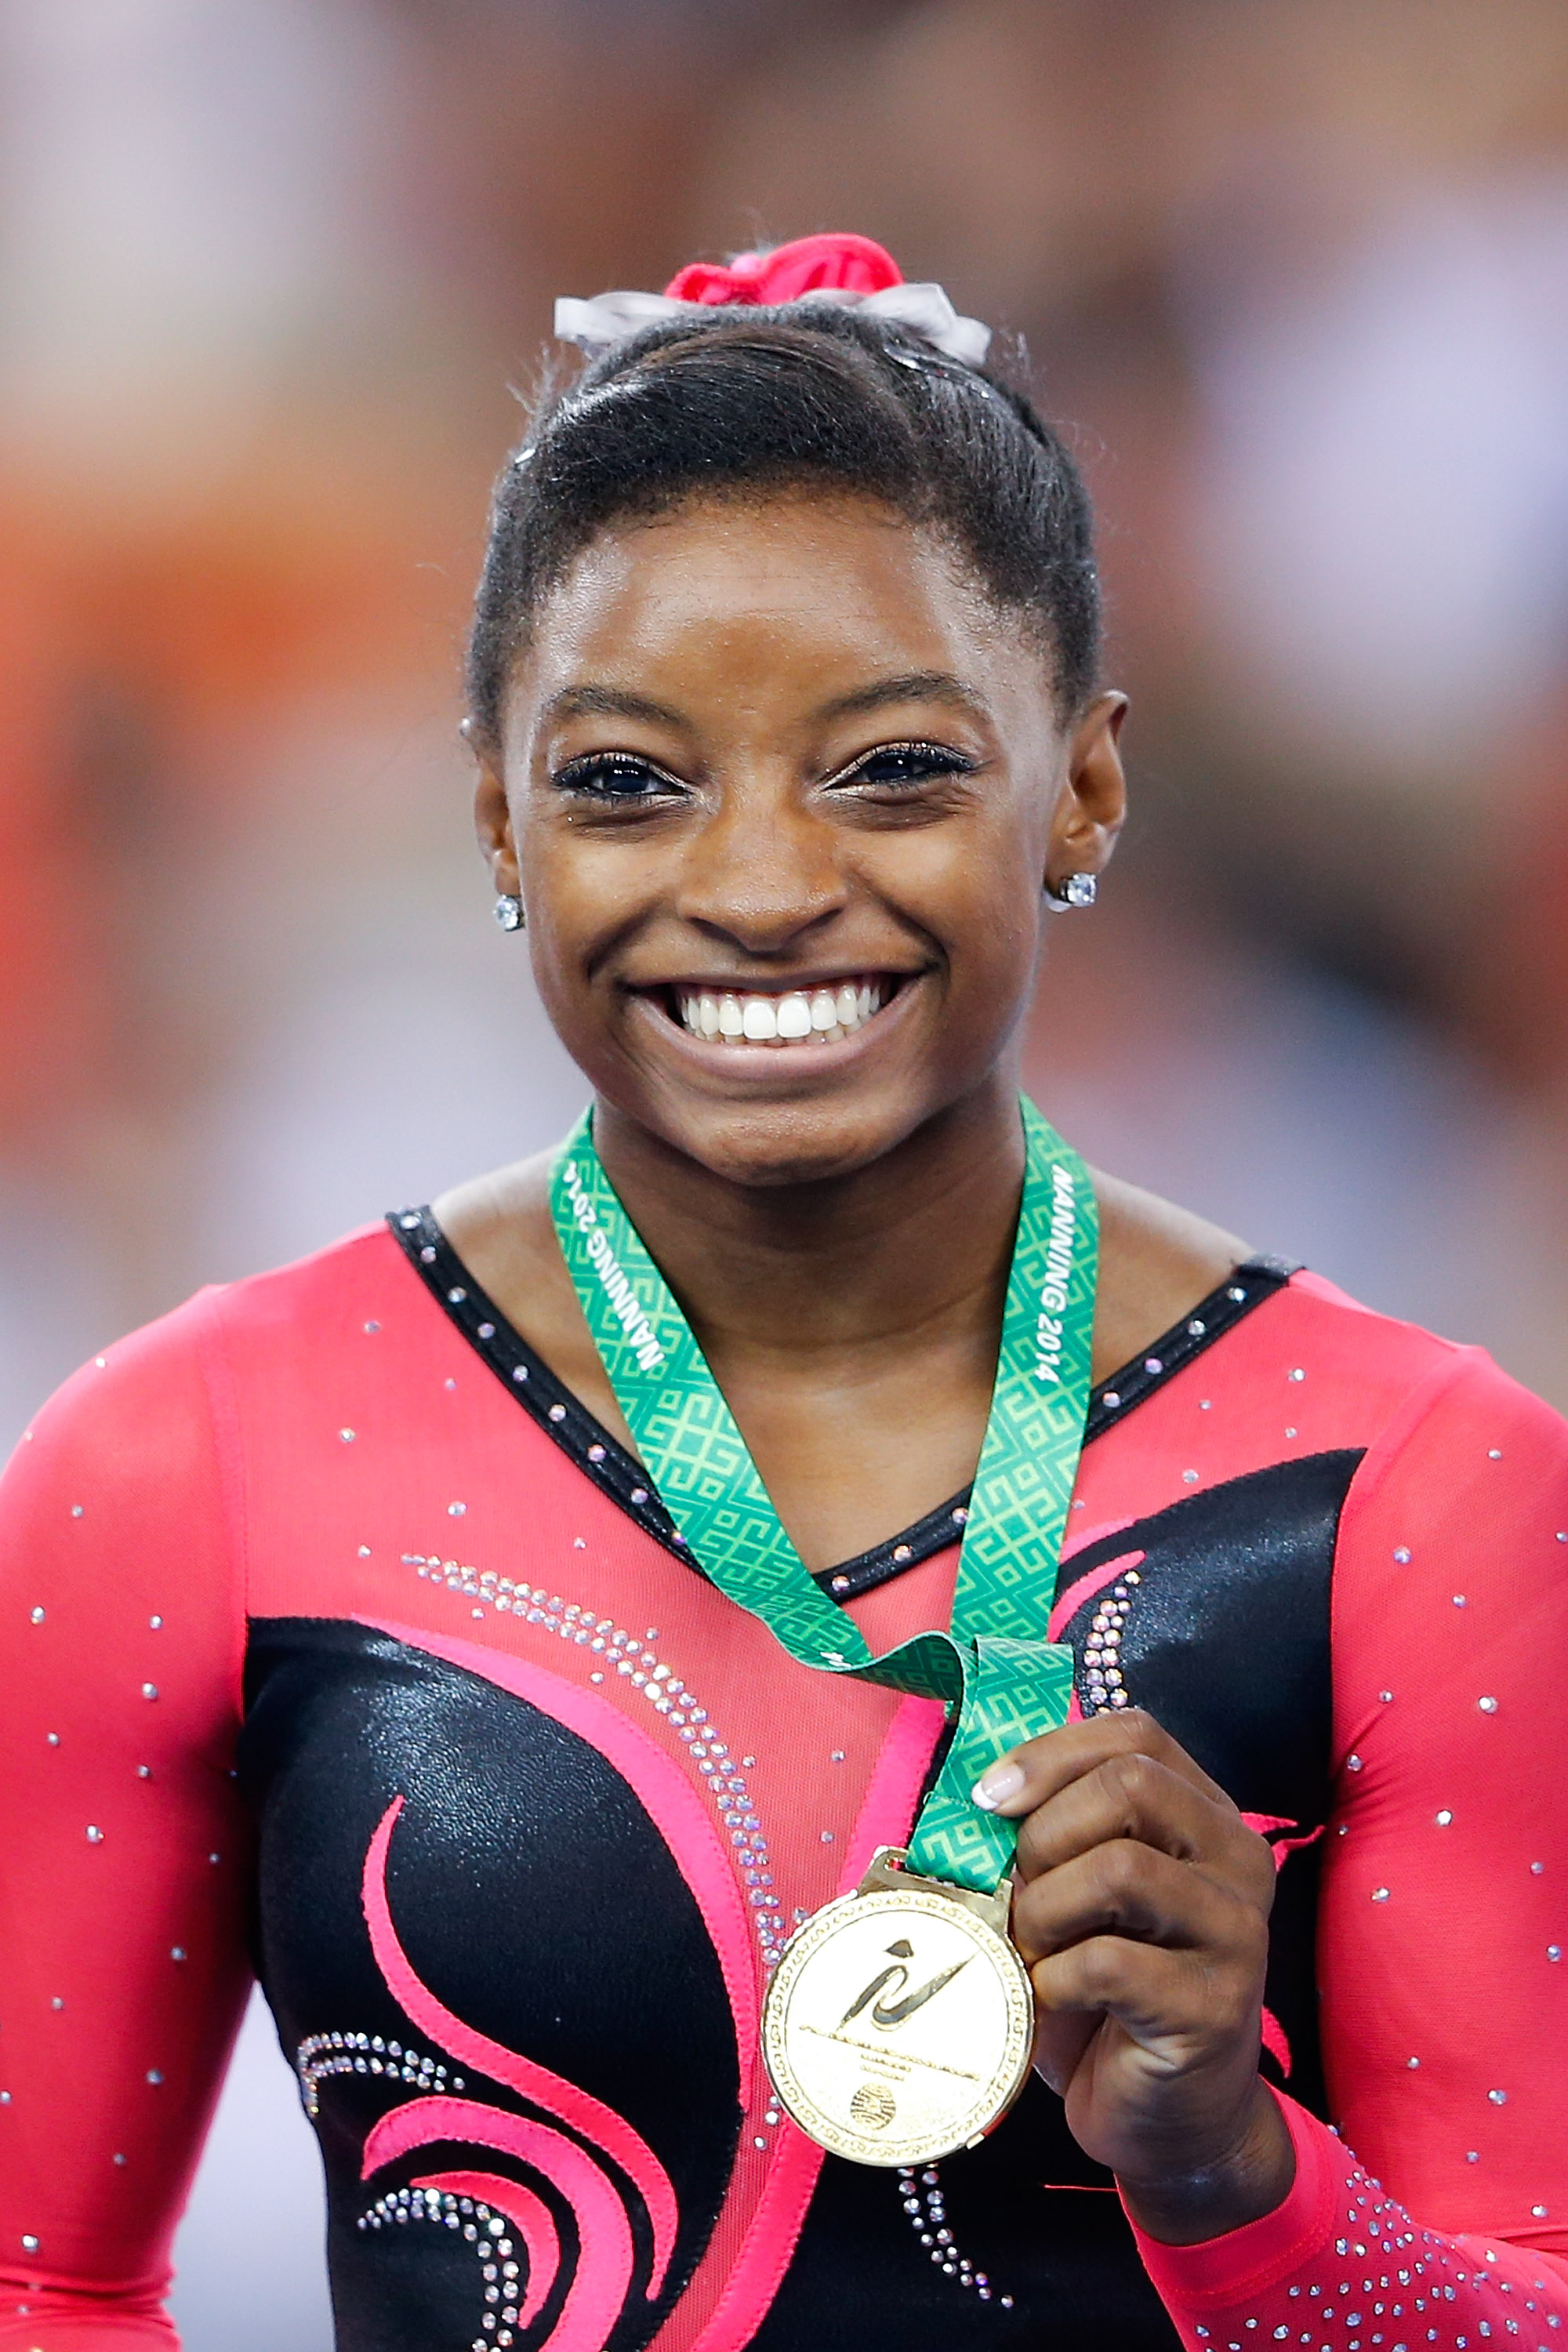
(123, 1852)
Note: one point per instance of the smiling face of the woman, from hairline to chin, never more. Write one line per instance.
(782, 791)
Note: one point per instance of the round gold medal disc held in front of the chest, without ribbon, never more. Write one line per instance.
(899, 2024)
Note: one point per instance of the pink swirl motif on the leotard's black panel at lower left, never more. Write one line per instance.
(605, 2240)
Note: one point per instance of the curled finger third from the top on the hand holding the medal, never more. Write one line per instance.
(1137, 1892)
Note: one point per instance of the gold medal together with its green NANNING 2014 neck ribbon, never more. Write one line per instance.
(899, 2024)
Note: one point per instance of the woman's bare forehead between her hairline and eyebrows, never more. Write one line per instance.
(800, 594)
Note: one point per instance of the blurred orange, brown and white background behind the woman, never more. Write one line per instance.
(272, 279)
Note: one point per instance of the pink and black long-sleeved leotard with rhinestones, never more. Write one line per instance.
(335, 1633)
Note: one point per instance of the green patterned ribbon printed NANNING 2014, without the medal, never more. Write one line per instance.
(996, 1669)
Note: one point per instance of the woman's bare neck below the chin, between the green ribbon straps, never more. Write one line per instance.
(913, 1243)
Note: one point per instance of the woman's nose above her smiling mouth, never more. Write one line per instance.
(763, 874)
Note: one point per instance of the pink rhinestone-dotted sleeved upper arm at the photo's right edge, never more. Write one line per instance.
(1447, 1862)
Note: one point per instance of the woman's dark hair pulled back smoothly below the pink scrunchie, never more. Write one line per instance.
(742, 403)
